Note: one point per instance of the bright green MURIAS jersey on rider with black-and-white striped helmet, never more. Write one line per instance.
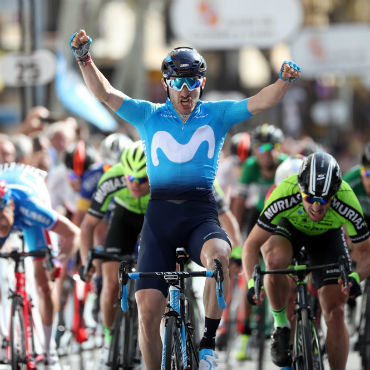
(286, 201)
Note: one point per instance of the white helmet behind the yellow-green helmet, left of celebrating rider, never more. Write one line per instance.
(112, 147)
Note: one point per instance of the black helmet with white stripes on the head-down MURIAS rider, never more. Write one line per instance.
(319, 175)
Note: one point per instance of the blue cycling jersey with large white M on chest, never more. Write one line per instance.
(182, 158)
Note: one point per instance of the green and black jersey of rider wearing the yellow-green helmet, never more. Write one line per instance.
(113, 185)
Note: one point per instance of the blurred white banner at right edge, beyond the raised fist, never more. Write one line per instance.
(340, 48)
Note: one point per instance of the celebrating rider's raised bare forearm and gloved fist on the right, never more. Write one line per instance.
(272, 94)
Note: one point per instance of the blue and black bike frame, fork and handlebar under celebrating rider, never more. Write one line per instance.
(177, 299)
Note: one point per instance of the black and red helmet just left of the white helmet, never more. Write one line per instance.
(79, 157)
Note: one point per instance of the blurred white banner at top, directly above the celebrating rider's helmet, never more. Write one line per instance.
(231, 24)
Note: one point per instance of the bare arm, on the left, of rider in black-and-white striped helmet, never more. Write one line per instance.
(251, 249)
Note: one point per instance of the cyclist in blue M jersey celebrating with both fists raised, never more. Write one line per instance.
(182, 141)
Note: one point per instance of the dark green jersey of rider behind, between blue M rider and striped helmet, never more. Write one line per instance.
(253, 184)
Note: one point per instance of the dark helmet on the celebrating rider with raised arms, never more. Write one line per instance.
(183, 62)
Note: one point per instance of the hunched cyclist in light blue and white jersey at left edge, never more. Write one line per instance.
(25, 206)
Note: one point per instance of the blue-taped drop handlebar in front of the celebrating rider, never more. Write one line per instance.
(171, 278)
